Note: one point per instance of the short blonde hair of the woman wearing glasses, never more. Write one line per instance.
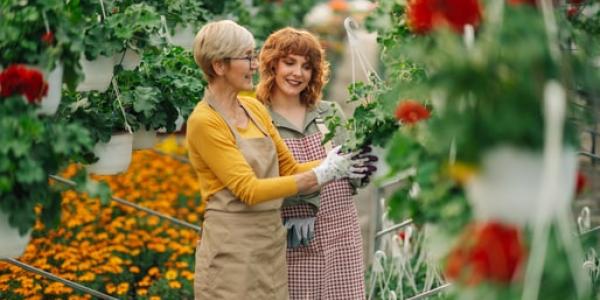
(218, 41)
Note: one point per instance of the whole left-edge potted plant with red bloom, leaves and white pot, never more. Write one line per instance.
(32, 147)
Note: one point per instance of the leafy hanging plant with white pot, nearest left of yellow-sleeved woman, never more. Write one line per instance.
(103, 113)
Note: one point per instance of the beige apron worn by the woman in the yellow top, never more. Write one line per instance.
(242, 251)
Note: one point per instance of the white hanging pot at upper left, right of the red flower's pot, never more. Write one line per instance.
(98, 73)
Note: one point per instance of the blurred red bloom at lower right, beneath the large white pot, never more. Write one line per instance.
(490, 251)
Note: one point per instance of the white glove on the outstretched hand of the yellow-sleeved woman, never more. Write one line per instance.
(337, 166)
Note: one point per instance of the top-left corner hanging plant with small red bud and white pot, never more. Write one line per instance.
(44, 35)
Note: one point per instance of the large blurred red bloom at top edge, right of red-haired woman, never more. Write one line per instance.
(425, 15)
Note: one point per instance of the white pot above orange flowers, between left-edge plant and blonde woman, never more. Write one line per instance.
(114, 156)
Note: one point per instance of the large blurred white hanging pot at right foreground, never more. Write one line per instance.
(508, 186)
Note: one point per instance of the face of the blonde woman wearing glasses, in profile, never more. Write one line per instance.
(240, 69)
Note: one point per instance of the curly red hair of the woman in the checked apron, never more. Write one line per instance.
(288, 41)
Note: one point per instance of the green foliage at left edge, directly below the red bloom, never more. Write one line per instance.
(31, 149)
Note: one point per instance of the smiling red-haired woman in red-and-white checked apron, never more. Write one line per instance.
(293, 71)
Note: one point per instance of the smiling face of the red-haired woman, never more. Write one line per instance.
(292, 75)
